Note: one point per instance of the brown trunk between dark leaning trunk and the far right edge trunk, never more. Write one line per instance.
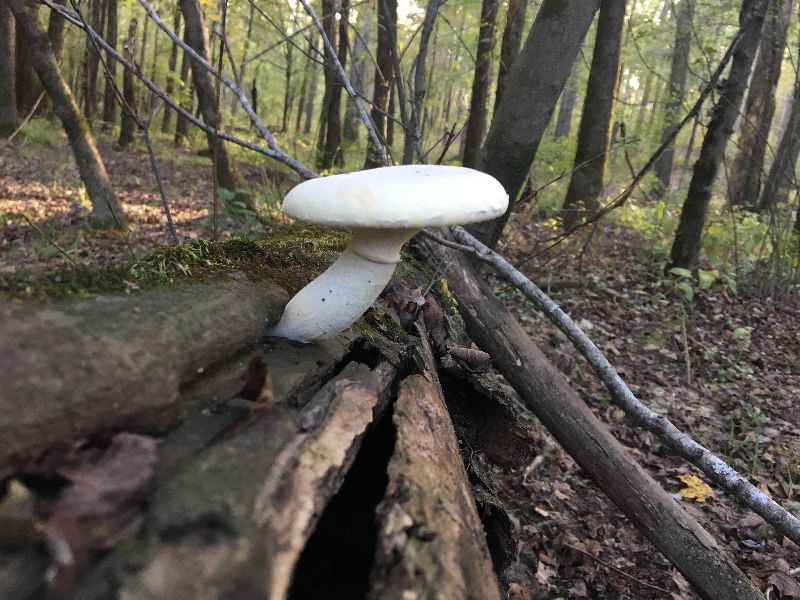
(744, 184)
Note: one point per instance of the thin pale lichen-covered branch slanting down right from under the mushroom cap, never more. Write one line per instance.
(719, 472)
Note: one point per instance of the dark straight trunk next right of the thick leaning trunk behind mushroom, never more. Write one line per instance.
(597, 118)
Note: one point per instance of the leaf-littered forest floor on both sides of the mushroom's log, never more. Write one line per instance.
(723, 367)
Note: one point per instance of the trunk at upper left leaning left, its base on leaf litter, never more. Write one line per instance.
(106, 211)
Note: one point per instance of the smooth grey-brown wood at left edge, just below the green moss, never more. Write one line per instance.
(116, 362)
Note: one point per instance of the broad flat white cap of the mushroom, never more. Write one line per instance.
(409, 196)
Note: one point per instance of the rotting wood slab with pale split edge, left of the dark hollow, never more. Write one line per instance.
(230, 520)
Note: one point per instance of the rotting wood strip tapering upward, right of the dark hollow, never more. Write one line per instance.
(431, 542)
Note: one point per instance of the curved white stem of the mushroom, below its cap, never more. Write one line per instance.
(334, 300)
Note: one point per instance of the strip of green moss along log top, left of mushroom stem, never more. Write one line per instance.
(289, 256)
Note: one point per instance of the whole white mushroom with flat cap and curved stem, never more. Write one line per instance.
(383, 208)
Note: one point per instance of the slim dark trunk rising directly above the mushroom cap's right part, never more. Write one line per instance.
(476, 125)
